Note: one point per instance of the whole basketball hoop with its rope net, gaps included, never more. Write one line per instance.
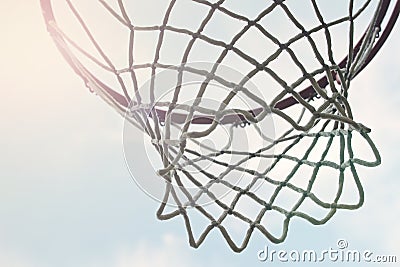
(245, 147)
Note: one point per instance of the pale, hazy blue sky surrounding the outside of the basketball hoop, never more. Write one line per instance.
(67, 197)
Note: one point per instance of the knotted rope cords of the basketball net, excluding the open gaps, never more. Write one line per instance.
(325, 118)
